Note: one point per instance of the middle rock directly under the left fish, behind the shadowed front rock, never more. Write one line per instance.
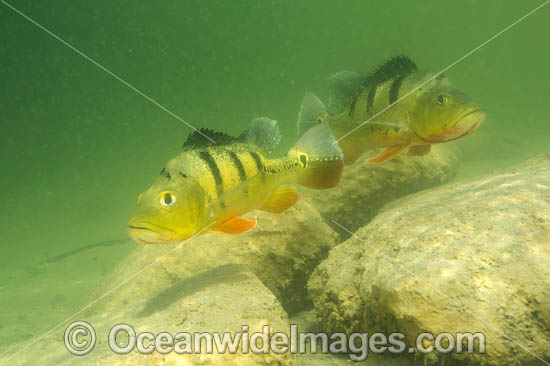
(283, 250)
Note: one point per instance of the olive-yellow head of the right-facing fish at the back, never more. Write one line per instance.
(443, 113)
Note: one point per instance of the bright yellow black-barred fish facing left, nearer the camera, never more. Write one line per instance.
(208, 186)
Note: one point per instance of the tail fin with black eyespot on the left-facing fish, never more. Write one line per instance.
(319, 157)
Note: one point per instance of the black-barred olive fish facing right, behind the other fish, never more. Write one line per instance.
(397, 107)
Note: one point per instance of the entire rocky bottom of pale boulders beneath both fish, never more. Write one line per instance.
(471, 256)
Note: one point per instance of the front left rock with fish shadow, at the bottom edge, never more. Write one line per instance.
(219, 300)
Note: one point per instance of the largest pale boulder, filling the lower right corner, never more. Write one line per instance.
(472, 256)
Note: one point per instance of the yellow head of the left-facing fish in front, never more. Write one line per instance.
(169, 212)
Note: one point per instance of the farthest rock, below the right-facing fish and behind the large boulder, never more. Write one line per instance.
(366, 187)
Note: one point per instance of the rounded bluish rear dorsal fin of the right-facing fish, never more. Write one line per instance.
(344, 86)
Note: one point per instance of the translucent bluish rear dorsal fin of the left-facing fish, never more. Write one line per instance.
(263, 133)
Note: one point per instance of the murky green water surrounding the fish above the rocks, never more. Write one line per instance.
(78, 146)
